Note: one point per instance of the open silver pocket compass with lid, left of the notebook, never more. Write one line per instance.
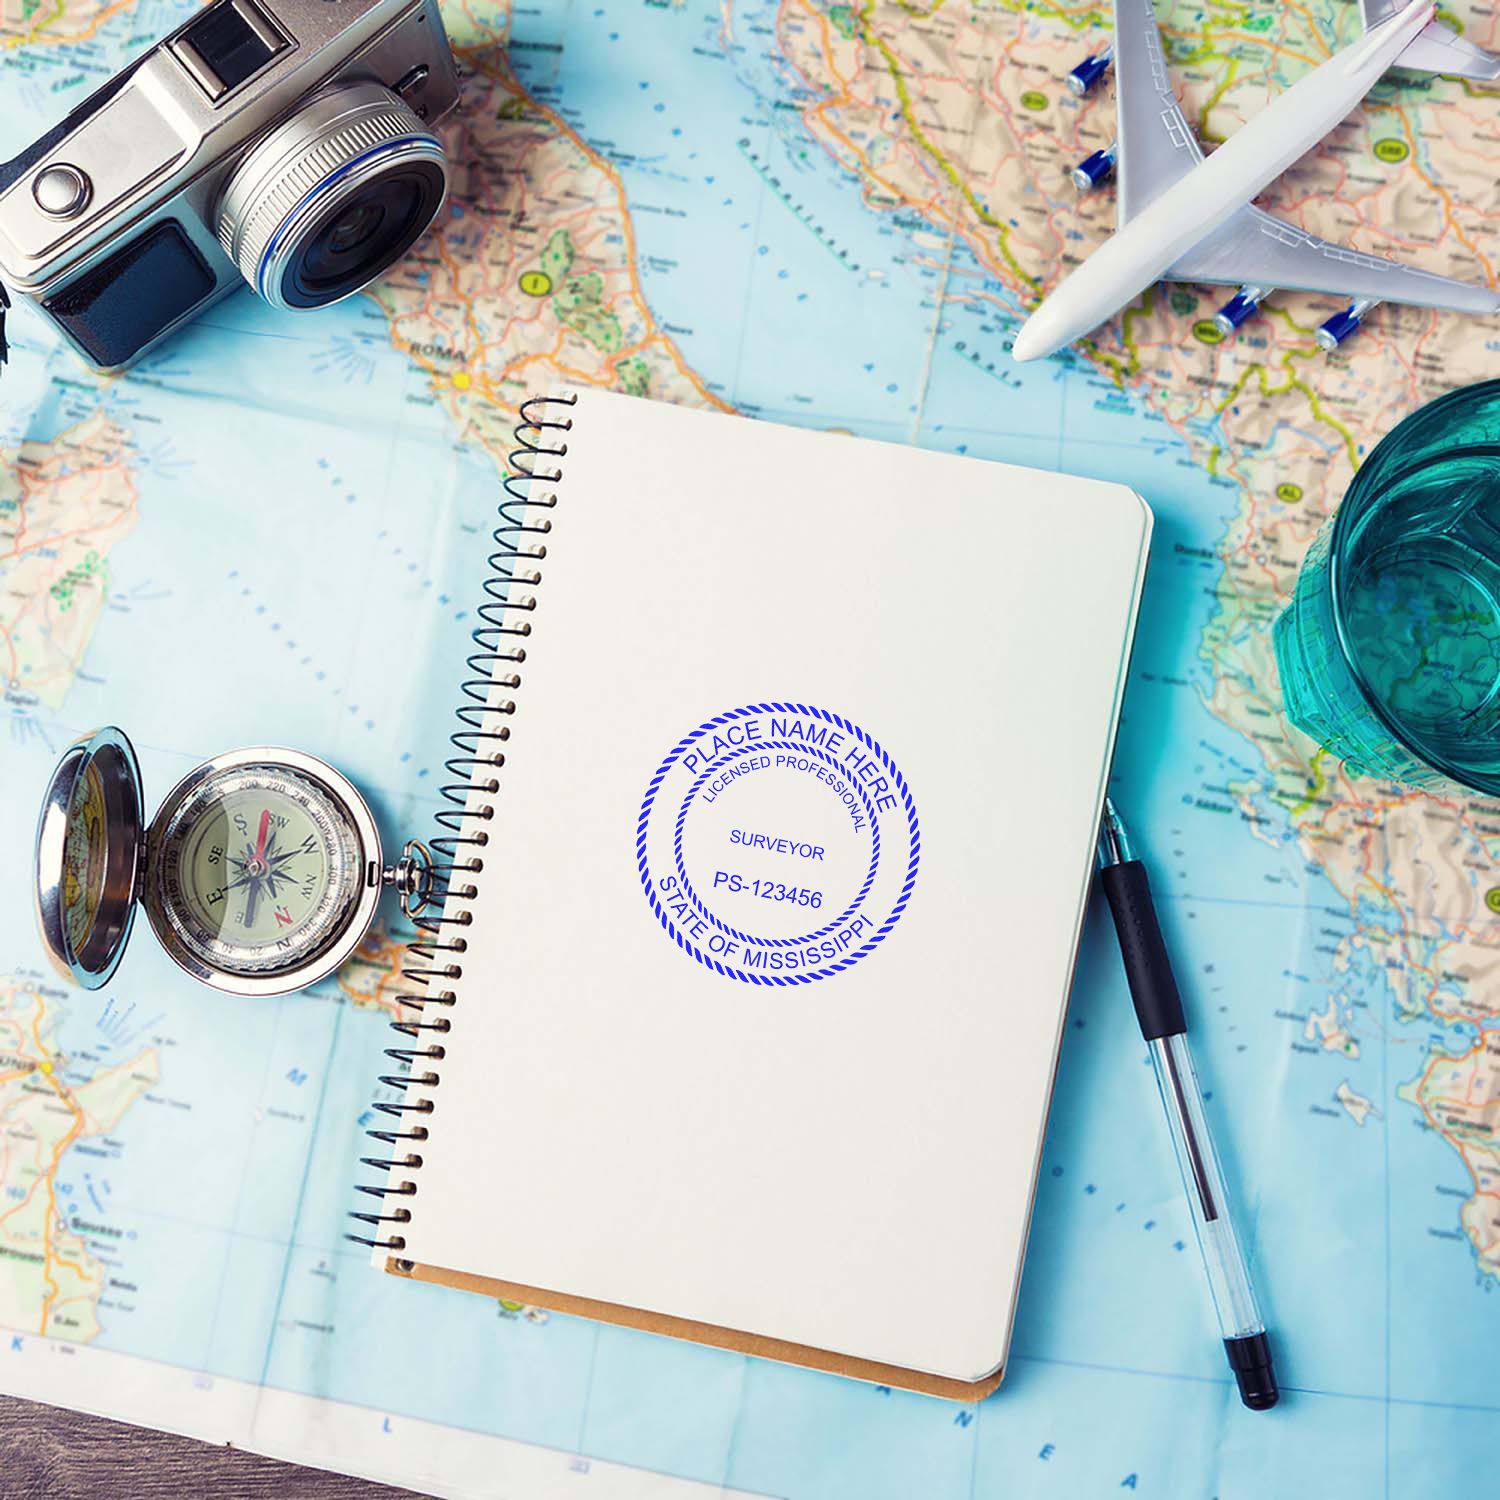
(260, 874)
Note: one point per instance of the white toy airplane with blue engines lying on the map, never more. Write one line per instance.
(1187, 217)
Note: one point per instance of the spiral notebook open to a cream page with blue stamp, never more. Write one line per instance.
(773, 821)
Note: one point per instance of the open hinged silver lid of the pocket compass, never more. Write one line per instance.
(89, 854)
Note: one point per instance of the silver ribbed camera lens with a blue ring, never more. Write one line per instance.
(332, 197)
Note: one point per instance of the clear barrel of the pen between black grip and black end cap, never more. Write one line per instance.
(1204, 1178)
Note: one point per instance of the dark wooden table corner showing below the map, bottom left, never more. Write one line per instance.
(49, 1454)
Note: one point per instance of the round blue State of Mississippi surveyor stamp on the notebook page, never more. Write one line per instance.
(778, 844)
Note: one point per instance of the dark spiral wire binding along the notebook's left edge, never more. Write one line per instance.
(434, 956)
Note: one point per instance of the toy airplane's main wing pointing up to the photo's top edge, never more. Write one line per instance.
(1156, 145)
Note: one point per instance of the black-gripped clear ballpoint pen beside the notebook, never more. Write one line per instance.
(1159, 1009)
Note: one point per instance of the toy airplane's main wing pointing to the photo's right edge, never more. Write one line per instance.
(1258, 250)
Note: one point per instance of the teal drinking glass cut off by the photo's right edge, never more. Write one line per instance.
(1390, 652)
